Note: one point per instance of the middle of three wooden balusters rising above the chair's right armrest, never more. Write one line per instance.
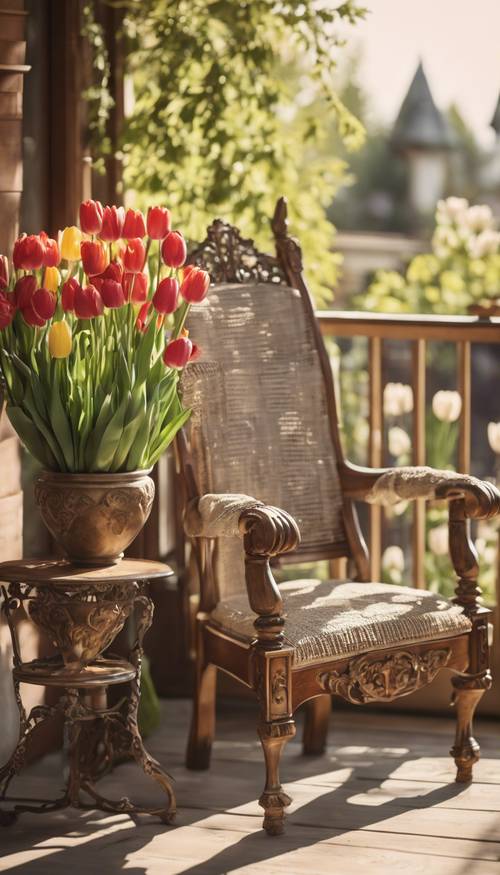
(418, 533)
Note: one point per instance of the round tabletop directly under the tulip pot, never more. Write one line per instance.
(61, 571)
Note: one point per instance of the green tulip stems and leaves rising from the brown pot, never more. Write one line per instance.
(96, 410)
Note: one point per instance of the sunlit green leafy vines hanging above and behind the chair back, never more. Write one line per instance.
(233, 104)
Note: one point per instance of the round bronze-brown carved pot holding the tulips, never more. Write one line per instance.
(94, 517)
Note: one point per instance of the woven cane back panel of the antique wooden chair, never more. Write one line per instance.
(260, 418)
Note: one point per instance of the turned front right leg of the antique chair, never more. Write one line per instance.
(466, 750)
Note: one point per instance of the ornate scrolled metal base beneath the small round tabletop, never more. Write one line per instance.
(98, 736)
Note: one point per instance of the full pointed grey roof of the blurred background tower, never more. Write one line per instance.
(420, 124)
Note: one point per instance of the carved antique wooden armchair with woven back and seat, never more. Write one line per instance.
(264, 436)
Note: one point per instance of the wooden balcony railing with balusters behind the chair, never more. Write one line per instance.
(418, 331)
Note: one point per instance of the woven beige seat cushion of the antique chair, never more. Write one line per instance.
(334, 619)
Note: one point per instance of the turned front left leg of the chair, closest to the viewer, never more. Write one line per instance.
(274, 800)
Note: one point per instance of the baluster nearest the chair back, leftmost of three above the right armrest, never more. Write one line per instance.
(375, 448)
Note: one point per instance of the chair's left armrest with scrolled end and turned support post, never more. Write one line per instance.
(266, 531)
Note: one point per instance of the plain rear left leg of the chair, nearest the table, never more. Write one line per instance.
(203, 719)
